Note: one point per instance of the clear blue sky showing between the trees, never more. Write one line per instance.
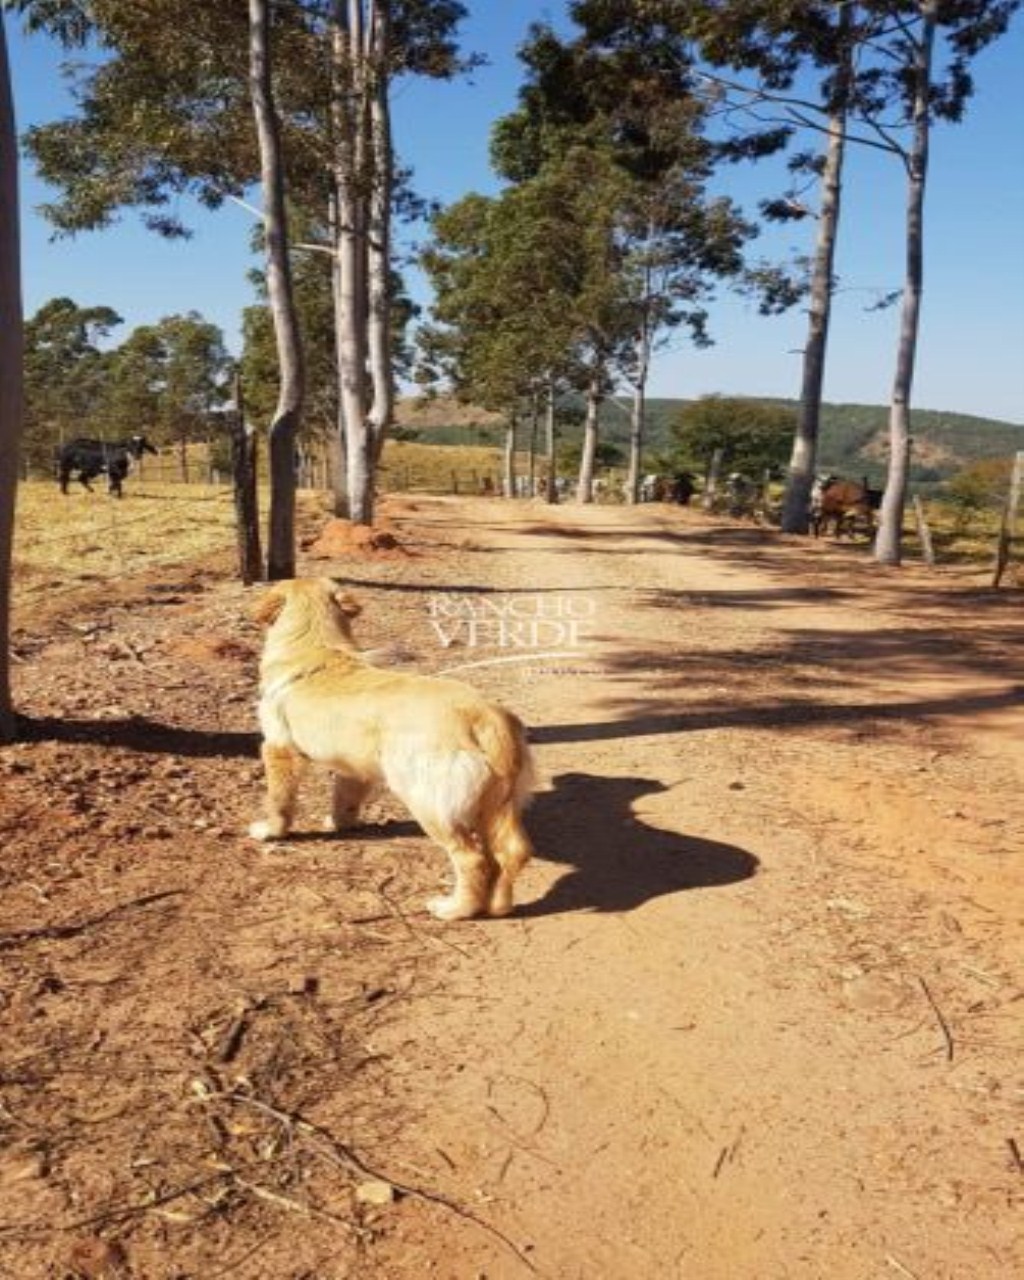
(972, 351)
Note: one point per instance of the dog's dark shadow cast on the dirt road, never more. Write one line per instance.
(616, 861)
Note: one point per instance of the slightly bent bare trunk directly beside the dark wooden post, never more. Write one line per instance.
(281, 561)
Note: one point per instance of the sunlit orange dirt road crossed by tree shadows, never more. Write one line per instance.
(757, 1016)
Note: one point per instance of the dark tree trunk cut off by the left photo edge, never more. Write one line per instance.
(11, 373)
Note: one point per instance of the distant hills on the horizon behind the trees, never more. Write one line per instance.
(854, 437)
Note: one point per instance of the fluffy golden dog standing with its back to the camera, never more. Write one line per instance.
(460, 764)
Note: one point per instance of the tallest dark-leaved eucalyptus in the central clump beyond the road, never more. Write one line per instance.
(625, 89)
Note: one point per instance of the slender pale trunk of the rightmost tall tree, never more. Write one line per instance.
(889, 543)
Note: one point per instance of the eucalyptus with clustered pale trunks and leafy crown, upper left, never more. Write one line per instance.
(170, 112)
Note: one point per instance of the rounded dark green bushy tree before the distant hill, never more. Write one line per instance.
(753, 436)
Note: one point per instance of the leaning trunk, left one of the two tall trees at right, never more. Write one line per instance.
(797, 504)
